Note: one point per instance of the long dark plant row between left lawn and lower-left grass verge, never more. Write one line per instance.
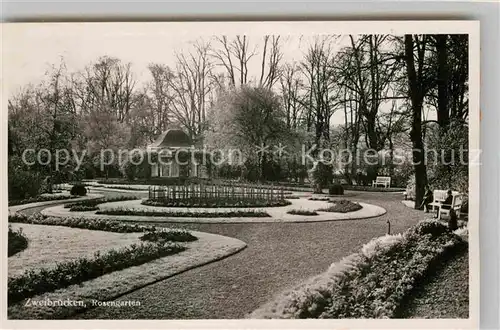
(64, 274)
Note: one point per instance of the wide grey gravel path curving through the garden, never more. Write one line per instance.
(278, 256)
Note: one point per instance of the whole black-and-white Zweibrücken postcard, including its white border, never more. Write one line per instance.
(242, 171)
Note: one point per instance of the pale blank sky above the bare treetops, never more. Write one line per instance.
(30, 51)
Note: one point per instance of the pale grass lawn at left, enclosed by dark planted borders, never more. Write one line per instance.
(49, 245)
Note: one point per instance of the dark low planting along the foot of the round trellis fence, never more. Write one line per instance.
(216, 202)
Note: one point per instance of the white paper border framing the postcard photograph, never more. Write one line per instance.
(259, 28)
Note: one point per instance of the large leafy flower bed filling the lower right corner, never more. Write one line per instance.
(371, 283)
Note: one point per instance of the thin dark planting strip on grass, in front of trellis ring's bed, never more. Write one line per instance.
(186, 214)
